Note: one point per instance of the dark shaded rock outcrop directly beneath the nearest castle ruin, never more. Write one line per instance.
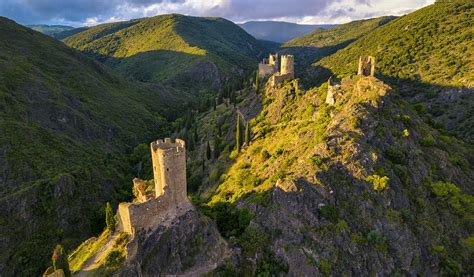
(189, 245)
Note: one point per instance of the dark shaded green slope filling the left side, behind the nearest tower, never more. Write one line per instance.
(66, 123)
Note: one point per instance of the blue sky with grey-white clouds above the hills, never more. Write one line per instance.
(92, 12)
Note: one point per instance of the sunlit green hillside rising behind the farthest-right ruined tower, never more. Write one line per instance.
(428, 55)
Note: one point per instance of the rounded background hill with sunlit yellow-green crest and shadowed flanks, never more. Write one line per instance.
(173, 47)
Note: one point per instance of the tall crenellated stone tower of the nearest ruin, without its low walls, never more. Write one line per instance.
(169, 169)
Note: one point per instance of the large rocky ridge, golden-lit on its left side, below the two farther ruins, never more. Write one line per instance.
(363, 187)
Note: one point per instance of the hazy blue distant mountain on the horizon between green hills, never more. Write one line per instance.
(280, 31)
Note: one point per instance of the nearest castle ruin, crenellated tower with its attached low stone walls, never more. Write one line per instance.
(168, 199)
